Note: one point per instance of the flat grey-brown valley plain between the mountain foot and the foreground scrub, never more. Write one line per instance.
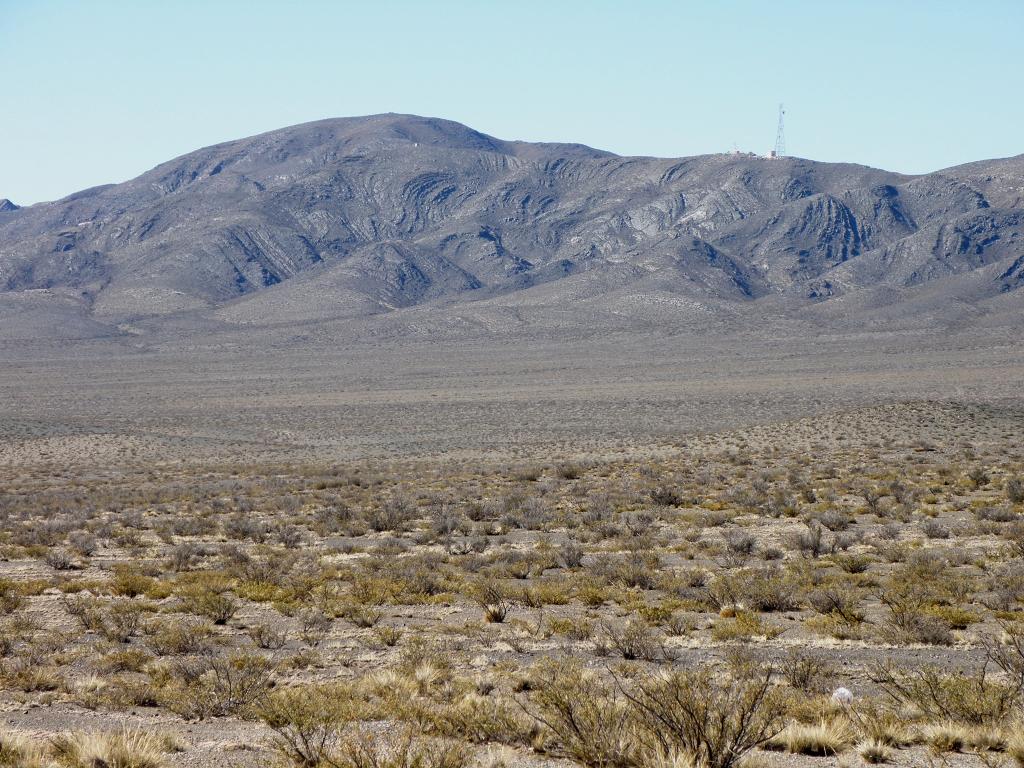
(102, 404)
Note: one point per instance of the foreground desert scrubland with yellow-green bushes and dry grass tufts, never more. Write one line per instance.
(834, 590)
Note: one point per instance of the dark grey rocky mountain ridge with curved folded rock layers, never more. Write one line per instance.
(359, 218)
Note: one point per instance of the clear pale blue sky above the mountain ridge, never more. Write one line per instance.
(100, 92)
